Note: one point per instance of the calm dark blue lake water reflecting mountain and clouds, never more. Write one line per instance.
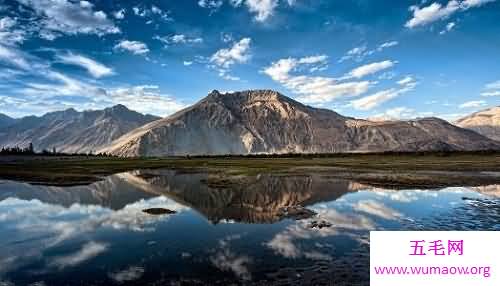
(224, 231)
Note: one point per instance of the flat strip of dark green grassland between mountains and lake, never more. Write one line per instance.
(417, 169)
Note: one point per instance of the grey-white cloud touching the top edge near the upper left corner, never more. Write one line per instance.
(69, 18)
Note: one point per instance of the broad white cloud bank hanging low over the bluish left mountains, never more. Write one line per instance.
(47, 95)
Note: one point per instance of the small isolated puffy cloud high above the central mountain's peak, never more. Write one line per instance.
(224, 59)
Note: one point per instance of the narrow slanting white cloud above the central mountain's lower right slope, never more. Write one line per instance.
(407, 84)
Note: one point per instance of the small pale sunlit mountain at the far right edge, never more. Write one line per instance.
(485, 122)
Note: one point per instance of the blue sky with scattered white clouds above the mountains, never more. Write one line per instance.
(368, 59)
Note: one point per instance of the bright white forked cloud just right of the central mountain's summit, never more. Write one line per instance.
(312, 89)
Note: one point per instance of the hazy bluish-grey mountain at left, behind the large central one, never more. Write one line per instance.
(72, 131)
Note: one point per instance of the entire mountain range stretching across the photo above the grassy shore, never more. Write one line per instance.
(247, 122)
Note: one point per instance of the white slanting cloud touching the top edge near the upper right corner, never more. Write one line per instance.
(436, 11)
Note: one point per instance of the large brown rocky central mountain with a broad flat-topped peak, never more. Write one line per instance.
(264, 121)
